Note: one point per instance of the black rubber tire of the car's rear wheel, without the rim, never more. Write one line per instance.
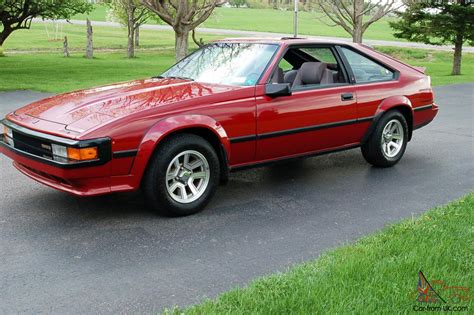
(372, 150)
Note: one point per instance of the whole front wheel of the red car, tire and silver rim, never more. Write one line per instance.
(182, 176)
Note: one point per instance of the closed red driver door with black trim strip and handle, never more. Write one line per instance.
(314, 118)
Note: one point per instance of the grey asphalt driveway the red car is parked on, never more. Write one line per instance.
(62, 254)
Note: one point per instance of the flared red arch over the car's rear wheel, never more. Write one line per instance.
(399, 103)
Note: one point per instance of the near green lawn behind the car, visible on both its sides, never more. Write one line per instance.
(52, 72)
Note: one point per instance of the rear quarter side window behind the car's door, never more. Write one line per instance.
(366, 70)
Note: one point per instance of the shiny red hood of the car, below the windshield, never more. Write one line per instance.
(86, 109)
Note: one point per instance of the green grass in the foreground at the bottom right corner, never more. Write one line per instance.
(376, 275)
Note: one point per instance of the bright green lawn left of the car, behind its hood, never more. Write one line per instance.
(54, 73)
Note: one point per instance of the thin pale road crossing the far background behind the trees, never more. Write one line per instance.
(228, 32)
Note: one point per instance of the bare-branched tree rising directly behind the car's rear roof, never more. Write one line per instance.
(349, 14)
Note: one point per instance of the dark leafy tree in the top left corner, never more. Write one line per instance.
(18, 14)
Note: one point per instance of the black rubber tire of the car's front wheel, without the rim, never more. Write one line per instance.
(155, 184)
